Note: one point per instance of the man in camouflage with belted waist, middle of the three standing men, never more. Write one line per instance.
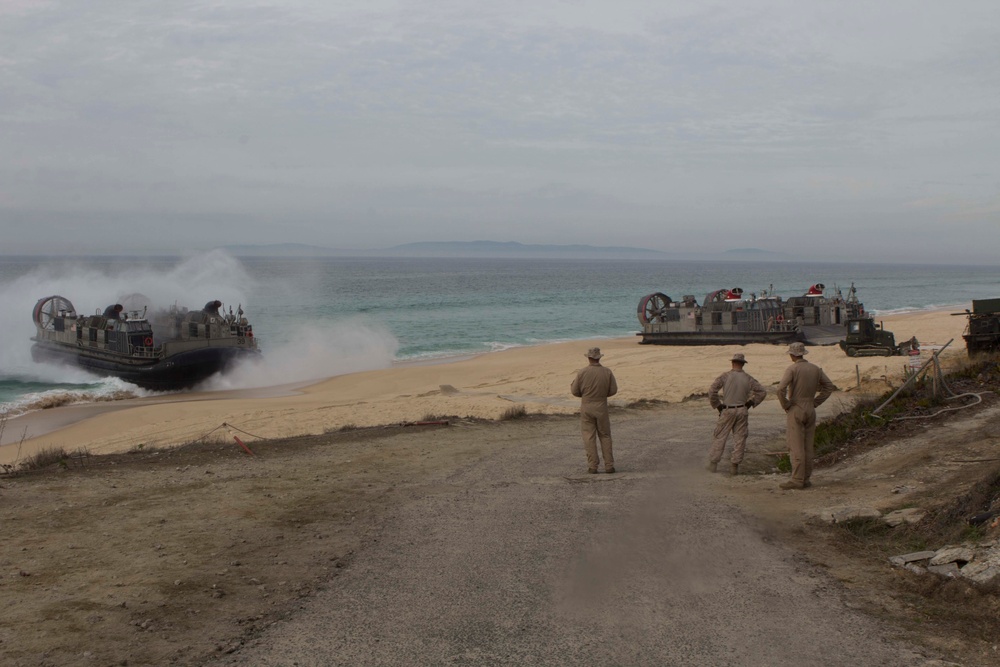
(740, 392)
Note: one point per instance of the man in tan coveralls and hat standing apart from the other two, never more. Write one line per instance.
(593, 384)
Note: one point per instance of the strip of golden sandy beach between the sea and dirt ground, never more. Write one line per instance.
(484, 386)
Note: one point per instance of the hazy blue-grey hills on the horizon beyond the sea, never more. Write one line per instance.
(500, 249)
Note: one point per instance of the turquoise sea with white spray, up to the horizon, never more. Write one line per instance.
(320, 317)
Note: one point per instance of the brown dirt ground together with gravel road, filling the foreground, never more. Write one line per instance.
(474, 544)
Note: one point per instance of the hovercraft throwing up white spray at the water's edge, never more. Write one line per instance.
(173, 349)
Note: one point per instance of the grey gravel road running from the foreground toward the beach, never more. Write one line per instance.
(519, 558)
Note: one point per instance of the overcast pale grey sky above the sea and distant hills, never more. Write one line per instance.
(862, 131)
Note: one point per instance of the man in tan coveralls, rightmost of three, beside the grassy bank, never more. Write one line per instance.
(803, 388)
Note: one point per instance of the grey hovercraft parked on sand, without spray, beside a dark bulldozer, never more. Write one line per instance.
(730, 317)
